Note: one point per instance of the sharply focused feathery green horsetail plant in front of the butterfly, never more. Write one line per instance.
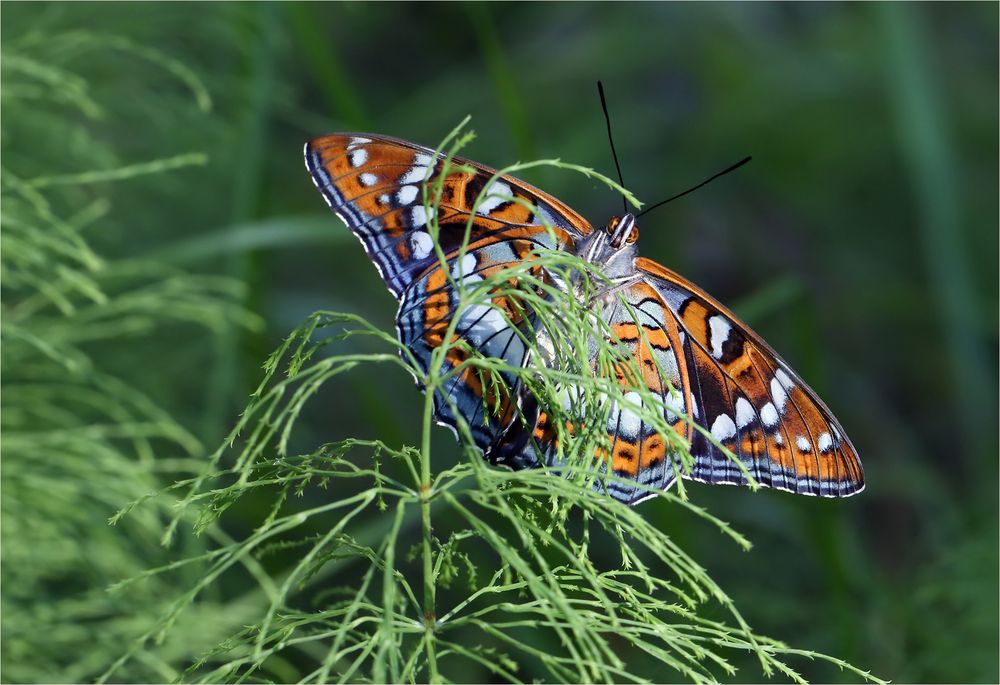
(360, 603)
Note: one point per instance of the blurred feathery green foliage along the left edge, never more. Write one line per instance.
(78, 439)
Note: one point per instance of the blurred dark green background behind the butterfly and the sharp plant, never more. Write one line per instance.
(861, 242)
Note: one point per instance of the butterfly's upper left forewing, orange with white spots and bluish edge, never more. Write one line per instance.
(377, 186)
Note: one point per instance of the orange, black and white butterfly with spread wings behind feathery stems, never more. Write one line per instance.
(709, 368)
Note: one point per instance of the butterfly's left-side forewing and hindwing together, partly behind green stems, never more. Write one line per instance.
(378, 186)
